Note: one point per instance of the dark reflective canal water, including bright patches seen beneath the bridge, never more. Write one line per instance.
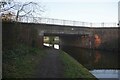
(102, 64)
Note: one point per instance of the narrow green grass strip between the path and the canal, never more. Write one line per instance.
(74, 69)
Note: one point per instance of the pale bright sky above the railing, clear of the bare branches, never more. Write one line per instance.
(81, 10)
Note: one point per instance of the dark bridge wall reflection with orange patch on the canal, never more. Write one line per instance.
(94, 59)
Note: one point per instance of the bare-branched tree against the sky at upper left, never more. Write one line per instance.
(31, 9)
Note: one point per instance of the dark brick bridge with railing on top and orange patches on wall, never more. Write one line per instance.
(70, 33)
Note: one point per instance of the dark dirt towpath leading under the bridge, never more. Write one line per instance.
(50, 66)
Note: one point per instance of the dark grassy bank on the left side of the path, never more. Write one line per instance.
(21, 61)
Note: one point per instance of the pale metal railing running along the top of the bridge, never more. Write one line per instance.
(28, 19)
